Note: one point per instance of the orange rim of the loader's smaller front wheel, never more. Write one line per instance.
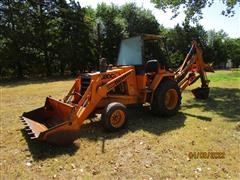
(117, 118)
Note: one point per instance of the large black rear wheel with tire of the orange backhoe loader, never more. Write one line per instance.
(167, 99)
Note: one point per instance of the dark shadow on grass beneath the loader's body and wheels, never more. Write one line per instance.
(138, 119)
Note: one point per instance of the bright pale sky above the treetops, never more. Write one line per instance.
(212, 18)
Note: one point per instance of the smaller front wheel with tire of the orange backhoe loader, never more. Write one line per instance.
(114, 116)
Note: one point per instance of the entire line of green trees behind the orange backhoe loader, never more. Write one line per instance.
(58, 37)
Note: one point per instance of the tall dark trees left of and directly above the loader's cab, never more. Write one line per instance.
(49, 37)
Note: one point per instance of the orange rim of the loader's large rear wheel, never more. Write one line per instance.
(171, 99)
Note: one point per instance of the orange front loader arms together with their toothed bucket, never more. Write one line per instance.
(58, 122)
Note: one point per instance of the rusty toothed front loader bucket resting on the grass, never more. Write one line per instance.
(50, 123)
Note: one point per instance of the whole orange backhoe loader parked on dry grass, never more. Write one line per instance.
(134, 80)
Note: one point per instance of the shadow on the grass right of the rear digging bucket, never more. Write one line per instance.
(222, 101)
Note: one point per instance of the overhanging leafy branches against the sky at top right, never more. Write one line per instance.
(193, 9)
